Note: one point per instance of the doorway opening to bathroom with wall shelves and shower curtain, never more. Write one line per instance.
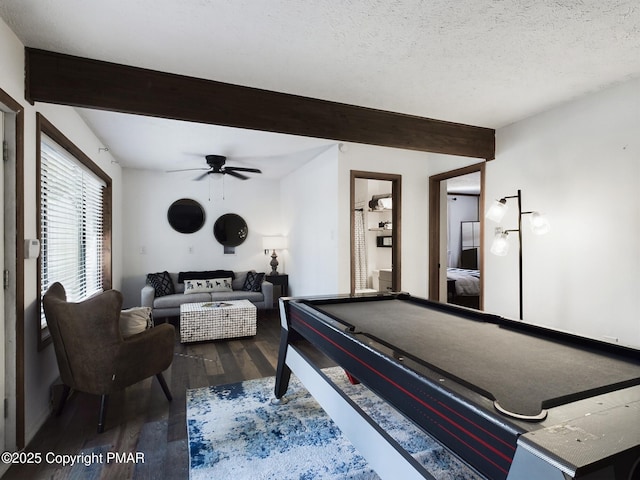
(375, 208)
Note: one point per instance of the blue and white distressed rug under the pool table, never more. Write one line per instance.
(236, 433)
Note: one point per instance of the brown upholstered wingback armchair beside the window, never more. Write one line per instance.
(93, 357)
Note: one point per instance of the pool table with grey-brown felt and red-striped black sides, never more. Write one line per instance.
(510, 399)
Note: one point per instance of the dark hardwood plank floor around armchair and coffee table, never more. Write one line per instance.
(140, 419)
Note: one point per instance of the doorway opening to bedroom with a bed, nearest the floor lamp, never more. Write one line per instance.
(456, 231)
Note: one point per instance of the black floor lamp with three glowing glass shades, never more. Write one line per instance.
(500, 246)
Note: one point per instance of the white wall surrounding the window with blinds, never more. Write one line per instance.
(40, 367)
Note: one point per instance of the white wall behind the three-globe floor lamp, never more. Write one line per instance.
(580, 164)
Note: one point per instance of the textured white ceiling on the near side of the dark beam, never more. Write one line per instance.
(481, 62)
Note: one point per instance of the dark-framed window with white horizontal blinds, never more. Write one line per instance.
(74, 235)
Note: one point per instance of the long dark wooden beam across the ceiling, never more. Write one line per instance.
(63, 79)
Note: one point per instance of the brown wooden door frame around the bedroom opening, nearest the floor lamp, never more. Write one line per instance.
(434, 227)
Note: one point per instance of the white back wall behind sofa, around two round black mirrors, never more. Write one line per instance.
(152, 245)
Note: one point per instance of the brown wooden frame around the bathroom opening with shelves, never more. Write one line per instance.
(396, 221)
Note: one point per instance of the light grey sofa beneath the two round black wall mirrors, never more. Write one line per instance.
(169, 305)
